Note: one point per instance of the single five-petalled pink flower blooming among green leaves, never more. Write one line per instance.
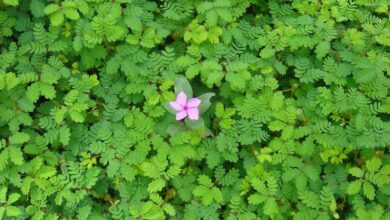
(185, 107)
